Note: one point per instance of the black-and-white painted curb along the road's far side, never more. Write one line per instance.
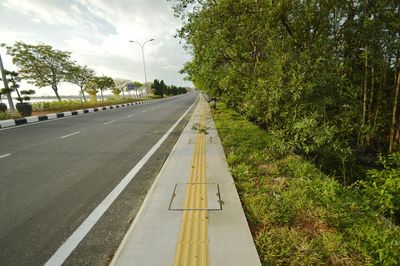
(34, 119)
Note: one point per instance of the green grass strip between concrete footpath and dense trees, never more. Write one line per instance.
(298, 215)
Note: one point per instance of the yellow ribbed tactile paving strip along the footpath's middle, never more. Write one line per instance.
(192, 246)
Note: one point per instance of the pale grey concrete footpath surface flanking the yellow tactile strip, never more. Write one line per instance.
(153, 235)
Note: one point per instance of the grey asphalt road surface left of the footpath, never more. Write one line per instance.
(54, 174)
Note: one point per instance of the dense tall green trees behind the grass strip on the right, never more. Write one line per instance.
(323, 75)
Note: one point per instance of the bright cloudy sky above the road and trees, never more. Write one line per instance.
(97, 33)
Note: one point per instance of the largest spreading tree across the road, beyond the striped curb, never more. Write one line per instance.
(40, 64)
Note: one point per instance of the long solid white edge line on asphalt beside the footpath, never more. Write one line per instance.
(73, 240)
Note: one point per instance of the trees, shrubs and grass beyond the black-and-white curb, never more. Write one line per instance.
(44, 66)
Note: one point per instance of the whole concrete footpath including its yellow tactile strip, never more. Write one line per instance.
(192, 214)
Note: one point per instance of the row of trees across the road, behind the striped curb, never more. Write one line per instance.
(42, 66)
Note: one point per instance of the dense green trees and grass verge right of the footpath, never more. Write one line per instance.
(318, 171)
